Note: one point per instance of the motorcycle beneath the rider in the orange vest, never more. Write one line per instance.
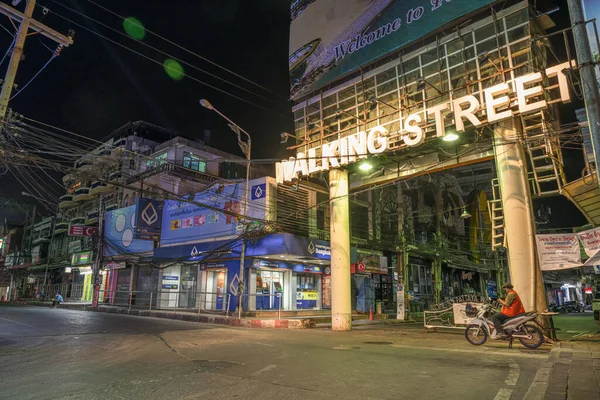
(481, 327)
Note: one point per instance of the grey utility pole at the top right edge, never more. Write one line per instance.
(589, 81)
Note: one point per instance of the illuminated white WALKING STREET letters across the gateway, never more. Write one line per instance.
(501, 102)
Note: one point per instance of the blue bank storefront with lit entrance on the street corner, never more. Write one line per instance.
(281, 270)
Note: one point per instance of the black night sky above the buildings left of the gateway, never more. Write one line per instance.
(94, 87)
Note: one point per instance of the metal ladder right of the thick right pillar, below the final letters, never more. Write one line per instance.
(545, 155)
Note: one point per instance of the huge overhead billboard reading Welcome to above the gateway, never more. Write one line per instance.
(330, 38)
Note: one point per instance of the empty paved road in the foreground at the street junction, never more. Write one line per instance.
(66, 354)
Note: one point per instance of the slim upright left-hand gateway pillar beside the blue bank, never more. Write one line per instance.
(341, 305)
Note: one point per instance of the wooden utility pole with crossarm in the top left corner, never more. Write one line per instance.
(26, 22)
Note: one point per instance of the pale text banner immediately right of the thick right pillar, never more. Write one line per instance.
(558, 251)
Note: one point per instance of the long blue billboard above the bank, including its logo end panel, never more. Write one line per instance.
(213, 214)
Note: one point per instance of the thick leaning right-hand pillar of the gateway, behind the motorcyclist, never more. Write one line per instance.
(519, 225)
